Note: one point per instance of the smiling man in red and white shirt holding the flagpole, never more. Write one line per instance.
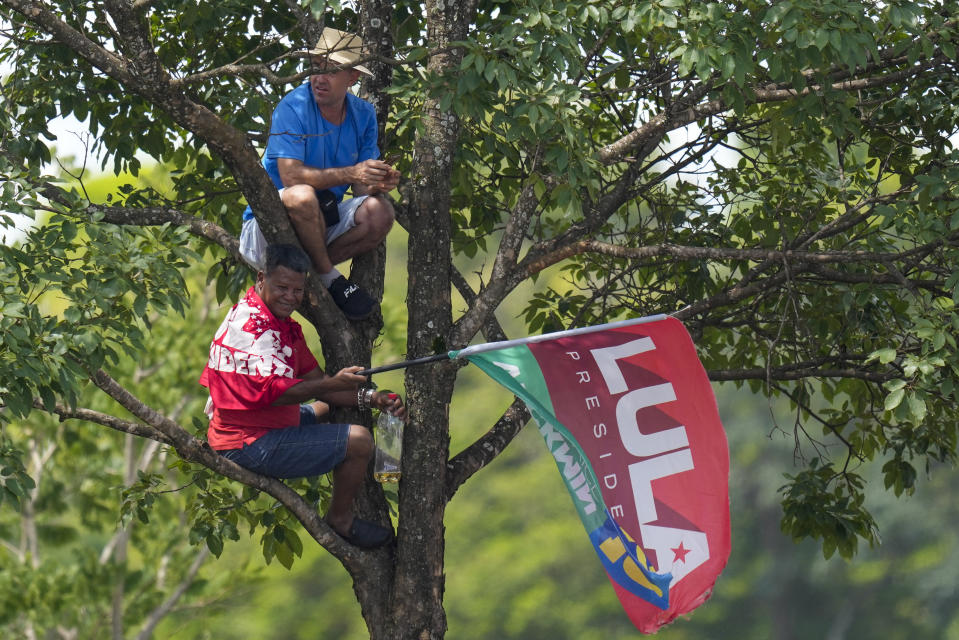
(260, 370)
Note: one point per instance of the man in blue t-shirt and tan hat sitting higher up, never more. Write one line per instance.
(323, 140)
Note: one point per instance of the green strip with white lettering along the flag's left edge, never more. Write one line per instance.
(516, 369)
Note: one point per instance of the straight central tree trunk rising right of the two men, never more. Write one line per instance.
(417, 610)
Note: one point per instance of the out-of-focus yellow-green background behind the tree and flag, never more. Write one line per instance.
(520, 565)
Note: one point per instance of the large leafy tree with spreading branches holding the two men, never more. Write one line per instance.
(780, 177)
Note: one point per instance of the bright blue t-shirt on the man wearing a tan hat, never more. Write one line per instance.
(298, 131)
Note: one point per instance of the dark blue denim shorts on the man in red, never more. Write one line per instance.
(310, 449)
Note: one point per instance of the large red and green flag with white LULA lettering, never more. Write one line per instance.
(628, 413)
